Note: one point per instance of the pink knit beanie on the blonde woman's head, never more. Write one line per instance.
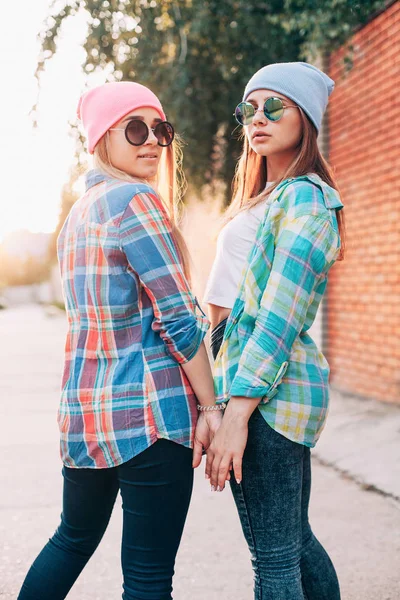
(101, 107)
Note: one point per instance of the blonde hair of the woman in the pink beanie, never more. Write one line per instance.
(170, 183)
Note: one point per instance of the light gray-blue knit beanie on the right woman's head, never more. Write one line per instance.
(306, 85)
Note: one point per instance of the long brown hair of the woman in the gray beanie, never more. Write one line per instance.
(251, 175)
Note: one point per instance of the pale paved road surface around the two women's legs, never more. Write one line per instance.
(360, 529)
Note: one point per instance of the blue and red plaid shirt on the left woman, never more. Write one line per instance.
(132, 322)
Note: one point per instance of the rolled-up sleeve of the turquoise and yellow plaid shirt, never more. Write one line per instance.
(305, 249)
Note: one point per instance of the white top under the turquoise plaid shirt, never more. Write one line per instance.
(234, 243)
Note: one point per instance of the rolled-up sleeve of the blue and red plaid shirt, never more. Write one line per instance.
(147, 241)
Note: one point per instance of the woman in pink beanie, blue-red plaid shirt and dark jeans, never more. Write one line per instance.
(135, 363)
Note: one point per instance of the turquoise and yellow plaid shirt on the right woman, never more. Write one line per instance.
(266, 351)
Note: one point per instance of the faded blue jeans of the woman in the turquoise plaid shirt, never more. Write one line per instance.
(288, 561)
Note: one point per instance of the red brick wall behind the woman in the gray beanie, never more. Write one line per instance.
(363, 314)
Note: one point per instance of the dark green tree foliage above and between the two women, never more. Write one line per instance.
(197, 55)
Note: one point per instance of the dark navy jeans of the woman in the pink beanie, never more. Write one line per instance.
(156, 487)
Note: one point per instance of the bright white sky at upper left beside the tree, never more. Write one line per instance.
(35, 163)
